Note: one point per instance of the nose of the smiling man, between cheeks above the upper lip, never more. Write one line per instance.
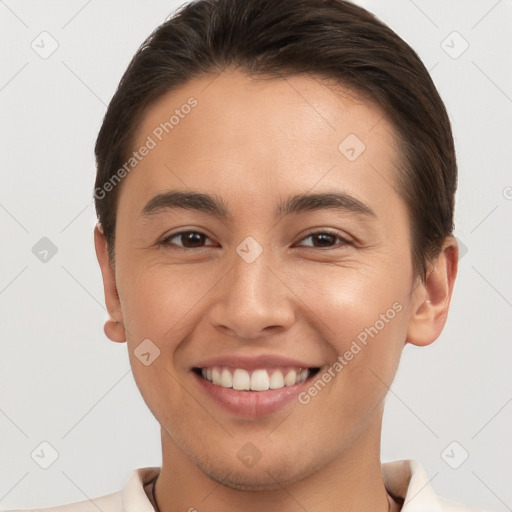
(254, 299)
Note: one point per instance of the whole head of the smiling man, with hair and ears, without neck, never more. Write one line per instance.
(305, 146)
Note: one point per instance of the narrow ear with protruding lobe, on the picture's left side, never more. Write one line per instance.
(114, 325)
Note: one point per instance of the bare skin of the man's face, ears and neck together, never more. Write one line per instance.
(253, 144)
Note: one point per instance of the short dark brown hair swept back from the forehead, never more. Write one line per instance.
(333, 39)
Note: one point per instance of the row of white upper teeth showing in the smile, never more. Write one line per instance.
(258, 380)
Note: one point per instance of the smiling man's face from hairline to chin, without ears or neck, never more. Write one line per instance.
(262, 291)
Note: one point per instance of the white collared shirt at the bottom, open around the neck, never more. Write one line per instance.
(405, 479)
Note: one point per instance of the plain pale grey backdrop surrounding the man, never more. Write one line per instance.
(63, 382)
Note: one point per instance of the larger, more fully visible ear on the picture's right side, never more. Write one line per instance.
(431, 299)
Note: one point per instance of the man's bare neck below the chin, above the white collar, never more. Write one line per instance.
(351, 481)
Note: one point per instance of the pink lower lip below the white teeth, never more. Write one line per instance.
(251, 404)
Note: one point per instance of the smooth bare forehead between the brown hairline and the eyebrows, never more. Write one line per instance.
(263, 133)
